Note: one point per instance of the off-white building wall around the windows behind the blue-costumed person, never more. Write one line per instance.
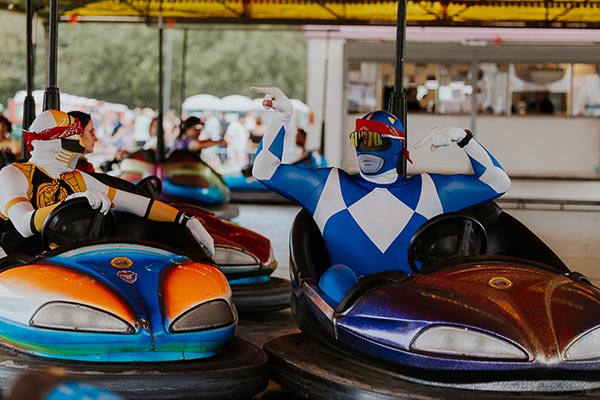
(527, 146)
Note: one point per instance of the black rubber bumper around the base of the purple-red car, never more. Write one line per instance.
(316, 370)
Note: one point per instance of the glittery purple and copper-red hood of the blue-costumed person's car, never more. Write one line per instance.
(538, 310)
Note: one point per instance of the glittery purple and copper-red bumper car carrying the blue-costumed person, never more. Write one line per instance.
(489, 311)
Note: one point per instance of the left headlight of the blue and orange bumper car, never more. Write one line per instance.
(78, 317)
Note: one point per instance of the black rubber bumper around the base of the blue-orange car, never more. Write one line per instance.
(238, 372)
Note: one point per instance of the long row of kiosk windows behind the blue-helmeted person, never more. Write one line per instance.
(499, 88)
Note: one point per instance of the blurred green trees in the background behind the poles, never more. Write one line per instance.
(119, 62)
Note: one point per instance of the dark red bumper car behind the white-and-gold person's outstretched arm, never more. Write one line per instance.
(244, 256)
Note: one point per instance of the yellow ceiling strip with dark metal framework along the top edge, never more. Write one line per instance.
(500, 13)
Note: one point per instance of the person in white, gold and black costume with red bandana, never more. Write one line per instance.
(31, 190)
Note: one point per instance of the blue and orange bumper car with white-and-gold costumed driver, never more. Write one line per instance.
(131, 305)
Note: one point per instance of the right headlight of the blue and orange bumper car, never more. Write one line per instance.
(209, 315)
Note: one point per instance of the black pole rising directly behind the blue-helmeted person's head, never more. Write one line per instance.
(397, 104)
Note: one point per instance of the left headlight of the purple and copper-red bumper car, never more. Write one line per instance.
(461, 342)
